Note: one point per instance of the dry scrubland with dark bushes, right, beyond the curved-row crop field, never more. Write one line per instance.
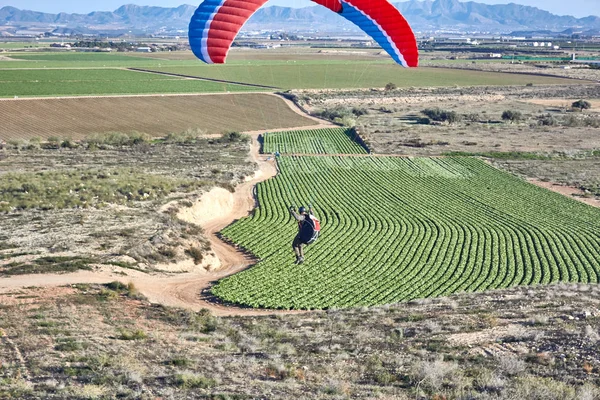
(548, 141)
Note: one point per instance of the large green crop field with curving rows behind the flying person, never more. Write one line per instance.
(395, 229)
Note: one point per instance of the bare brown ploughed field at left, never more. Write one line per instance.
(77, 118)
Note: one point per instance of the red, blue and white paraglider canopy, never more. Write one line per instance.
(216, 23)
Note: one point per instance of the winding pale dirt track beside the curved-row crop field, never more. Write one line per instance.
(186, 289)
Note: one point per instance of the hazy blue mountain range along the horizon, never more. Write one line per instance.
(427, 16)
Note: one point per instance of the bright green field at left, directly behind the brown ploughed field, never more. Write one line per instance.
(71, 82)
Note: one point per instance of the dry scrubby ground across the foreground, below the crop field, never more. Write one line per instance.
(85, 342)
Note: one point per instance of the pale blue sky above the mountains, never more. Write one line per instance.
(578, 8)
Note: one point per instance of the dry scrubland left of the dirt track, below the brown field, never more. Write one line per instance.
(66, 206)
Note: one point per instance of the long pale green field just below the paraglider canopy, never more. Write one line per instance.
(347, 74)
